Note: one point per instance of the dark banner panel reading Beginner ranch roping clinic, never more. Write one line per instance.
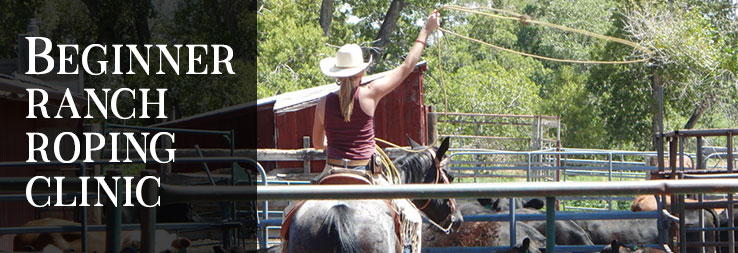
(128, 125)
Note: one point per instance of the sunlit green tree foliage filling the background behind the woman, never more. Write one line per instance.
(601, 106)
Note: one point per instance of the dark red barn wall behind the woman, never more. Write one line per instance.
(399, 113)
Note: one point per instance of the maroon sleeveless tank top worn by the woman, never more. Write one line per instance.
(348, 140)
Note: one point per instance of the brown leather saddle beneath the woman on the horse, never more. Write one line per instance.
(339, 176)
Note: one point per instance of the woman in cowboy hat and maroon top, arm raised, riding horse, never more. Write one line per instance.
(344, 121)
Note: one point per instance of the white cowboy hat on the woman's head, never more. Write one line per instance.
(349, 61)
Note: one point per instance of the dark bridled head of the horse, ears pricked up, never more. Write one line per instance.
(428, 166)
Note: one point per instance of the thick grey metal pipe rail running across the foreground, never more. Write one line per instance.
(549, 190)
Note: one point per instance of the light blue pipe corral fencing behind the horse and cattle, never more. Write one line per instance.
(617, 165)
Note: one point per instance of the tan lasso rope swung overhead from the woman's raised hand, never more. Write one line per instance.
(510, 15)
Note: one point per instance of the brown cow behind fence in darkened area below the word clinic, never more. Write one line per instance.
(72, 241)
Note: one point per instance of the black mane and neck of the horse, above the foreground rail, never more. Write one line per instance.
(413, 166)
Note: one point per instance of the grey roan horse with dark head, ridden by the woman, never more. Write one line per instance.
(369, 225)
